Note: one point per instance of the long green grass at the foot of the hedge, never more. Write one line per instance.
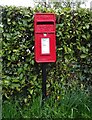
(75, 104)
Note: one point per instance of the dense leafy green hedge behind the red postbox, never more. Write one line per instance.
(73, 69)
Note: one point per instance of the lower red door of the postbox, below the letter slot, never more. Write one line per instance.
(45, 47)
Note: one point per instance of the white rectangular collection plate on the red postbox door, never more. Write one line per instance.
(45, 46)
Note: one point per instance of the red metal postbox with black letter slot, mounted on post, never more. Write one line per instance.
(45, 38)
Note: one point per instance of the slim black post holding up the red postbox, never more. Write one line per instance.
(43, 82)
